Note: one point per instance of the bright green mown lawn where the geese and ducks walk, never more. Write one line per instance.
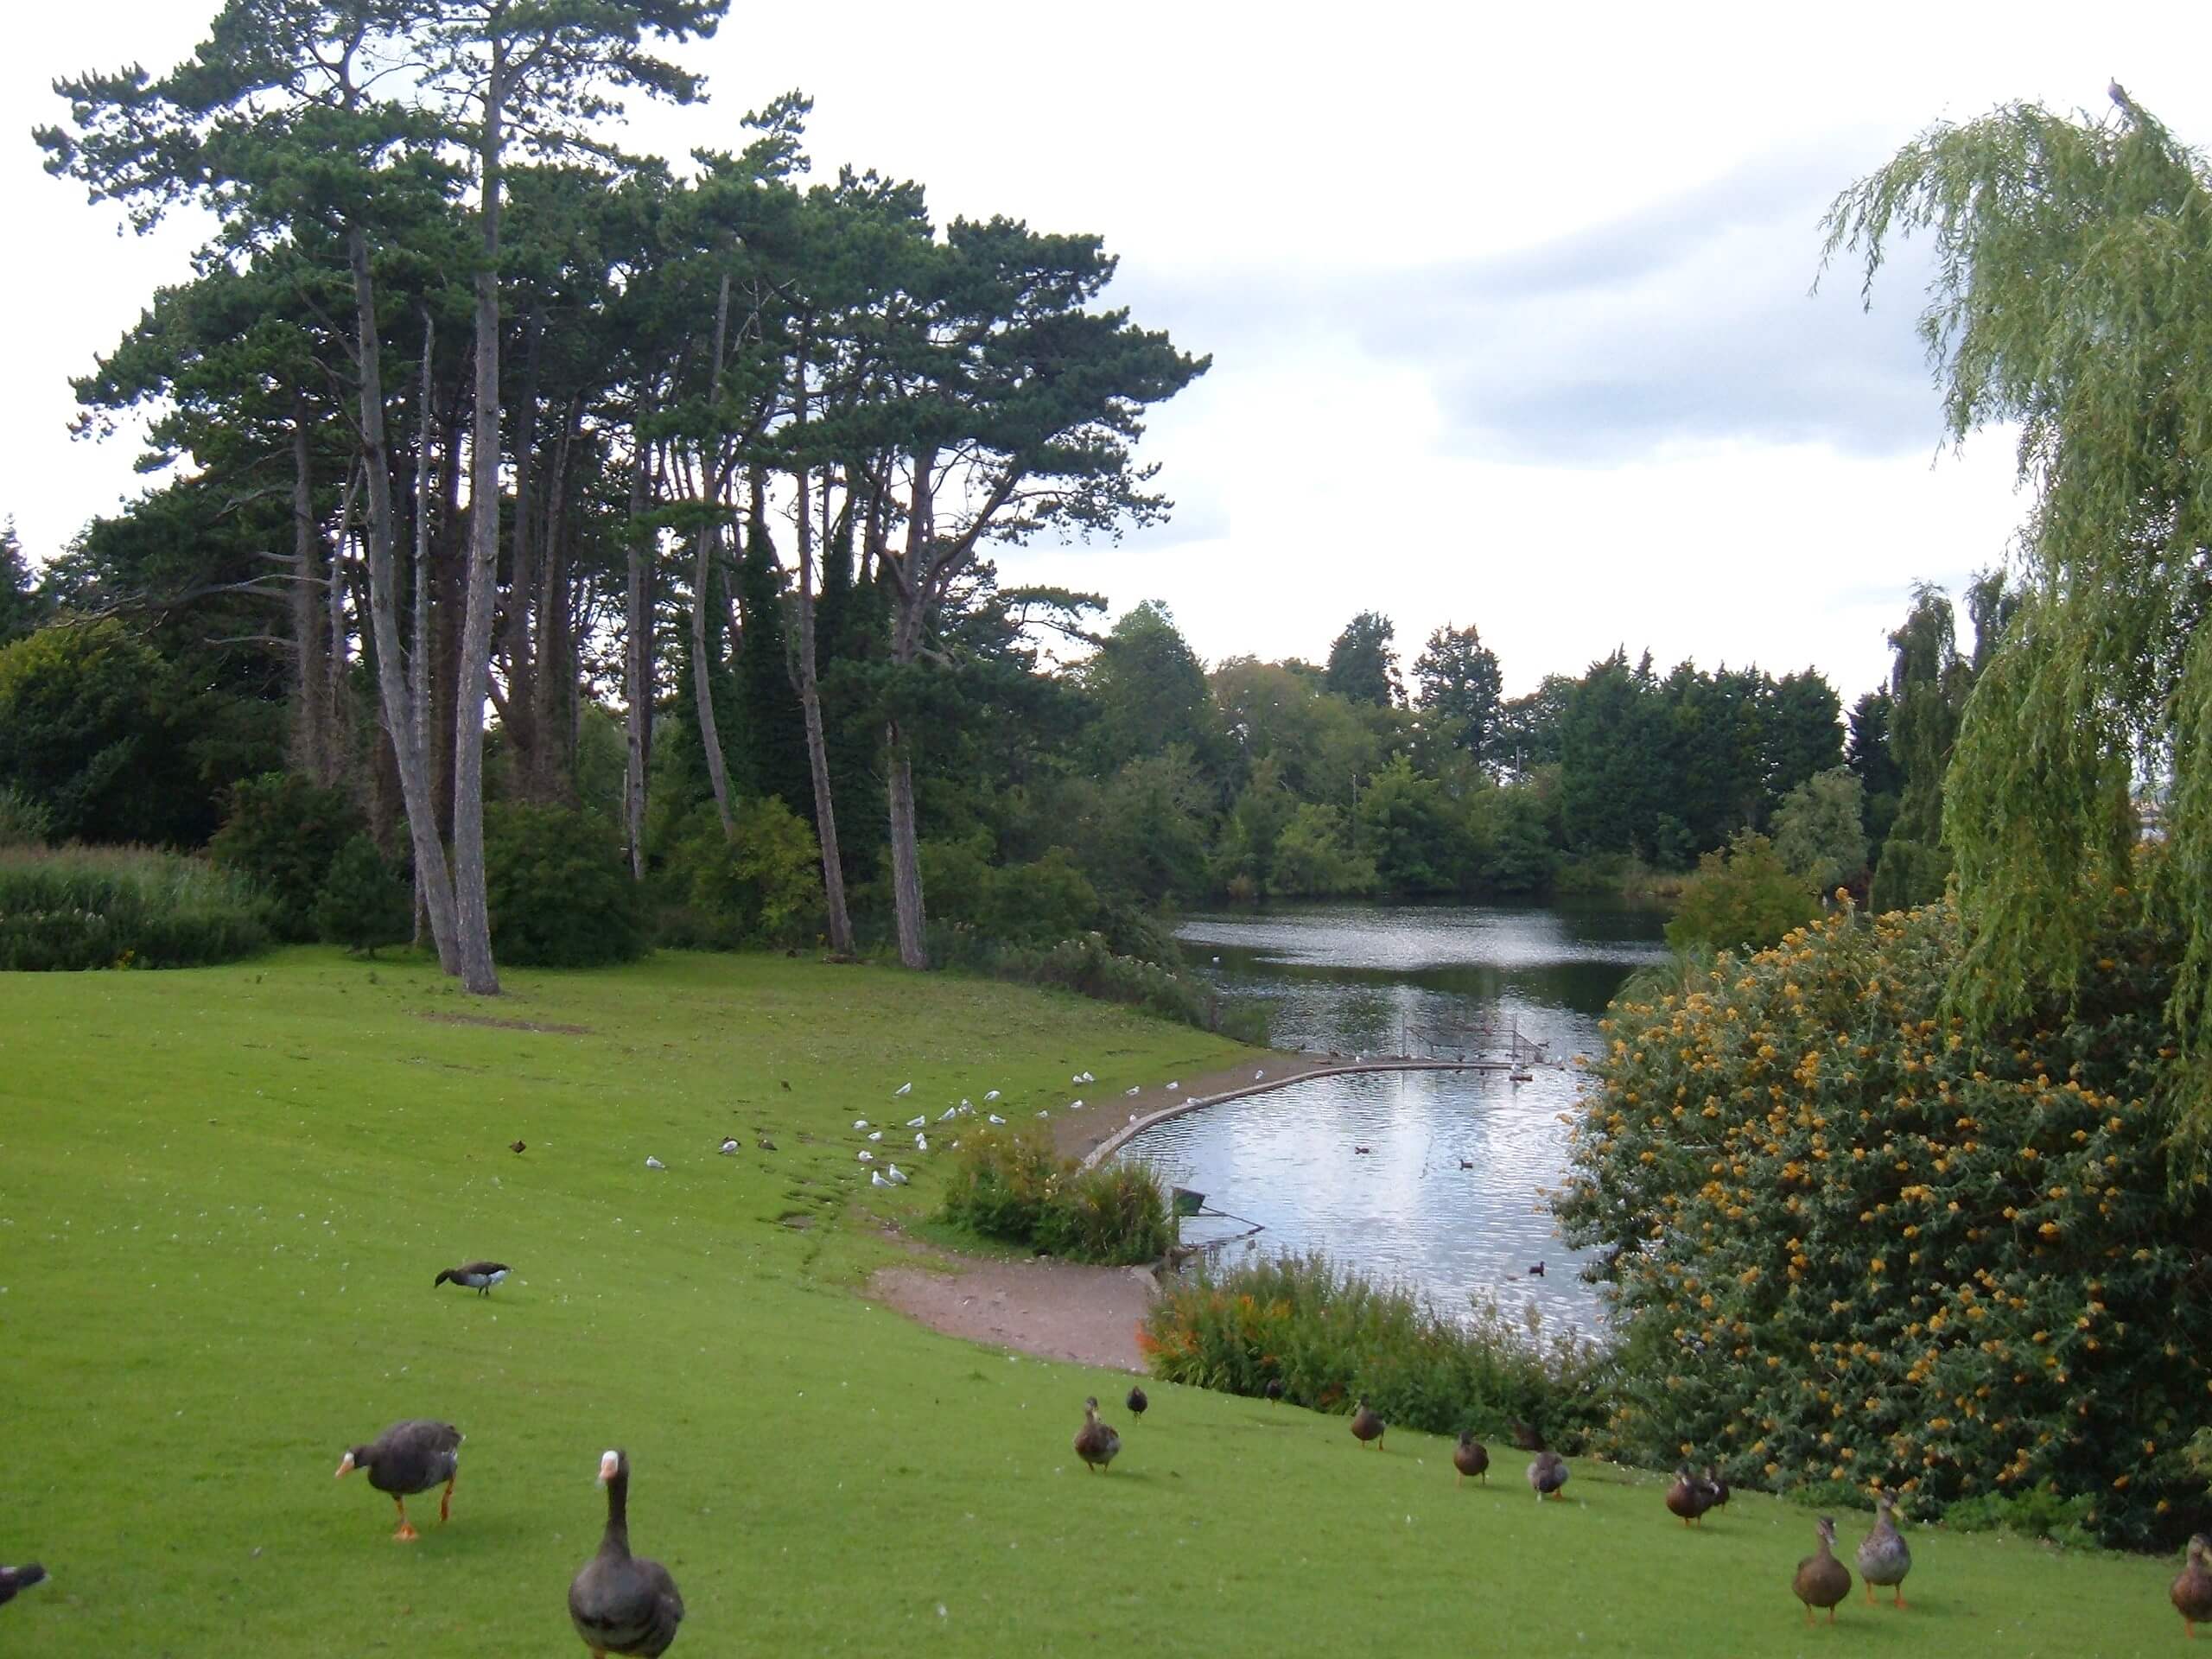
(225, 1198)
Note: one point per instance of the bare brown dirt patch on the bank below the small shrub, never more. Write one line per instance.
(1050, 1308)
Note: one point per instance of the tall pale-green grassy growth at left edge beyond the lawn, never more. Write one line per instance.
(92, 908)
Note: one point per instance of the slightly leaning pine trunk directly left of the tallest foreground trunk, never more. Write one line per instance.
(408, 740)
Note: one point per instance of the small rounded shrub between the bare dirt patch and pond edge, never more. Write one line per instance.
(1016, 1189)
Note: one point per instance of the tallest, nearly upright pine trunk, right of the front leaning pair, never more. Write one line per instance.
(474, 680)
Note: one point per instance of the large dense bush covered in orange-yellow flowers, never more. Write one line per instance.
(1855, 1242)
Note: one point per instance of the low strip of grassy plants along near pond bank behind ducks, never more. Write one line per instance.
(1328, 1335)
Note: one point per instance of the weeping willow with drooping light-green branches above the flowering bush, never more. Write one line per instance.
(2072, 300)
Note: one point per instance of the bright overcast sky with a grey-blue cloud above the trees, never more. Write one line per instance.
(1510, 315)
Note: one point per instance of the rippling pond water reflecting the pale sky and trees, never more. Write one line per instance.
(1450, 1193)
